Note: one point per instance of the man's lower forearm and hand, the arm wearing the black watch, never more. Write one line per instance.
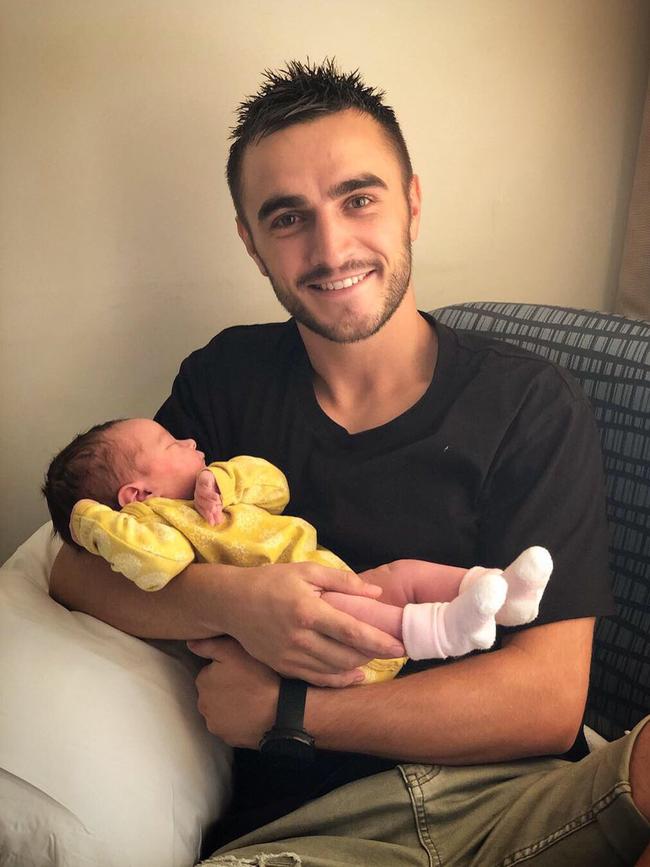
(524, 699)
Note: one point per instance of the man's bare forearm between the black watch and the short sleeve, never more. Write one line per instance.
(527, 698)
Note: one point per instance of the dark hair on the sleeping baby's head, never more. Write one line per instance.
(89, 467)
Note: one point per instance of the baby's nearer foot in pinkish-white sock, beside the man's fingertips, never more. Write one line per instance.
(436, 630)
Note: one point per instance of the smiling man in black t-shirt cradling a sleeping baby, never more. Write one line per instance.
(399, 438)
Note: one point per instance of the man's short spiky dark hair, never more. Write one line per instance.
(303, 92)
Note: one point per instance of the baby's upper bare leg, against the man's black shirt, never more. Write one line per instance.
(407, 581)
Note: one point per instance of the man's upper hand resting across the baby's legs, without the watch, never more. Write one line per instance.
(277, 615)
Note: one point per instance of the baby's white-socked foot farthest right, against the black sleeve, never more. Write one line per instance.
(527, 578)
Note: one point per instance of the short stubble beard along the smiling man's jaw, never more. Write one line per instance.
(350, 328)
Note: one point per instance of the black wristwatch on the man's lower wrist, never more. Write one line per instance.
(287, 741)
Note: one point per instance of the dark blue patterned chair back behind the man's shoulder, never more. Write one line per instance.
(610, 356)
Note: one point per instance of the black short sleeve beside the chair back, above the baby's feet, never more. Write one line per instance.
(546, 488)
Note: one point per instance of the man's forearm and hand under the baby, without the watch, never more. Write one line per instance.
(275, 611)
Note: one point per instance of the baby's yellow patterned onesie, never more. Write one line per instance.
(152, 541)
